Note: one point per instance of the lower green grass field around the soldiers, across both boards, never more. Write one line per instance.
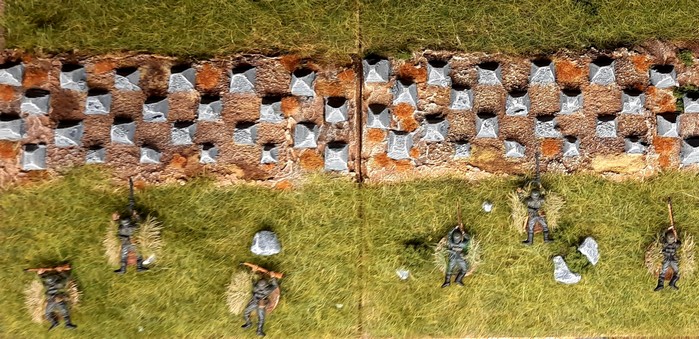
(342, 246)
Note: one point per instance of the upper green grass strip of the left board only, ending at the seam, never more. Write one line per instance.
(198, 28)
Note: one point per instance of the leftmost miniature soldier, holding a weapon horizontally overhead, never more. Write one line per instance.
(55, 280)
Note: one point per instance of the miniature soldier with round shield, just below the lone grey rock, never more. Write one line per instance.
(262, 291)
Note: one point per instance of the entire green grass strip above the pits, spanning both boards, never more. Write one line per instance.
(330, 29)
